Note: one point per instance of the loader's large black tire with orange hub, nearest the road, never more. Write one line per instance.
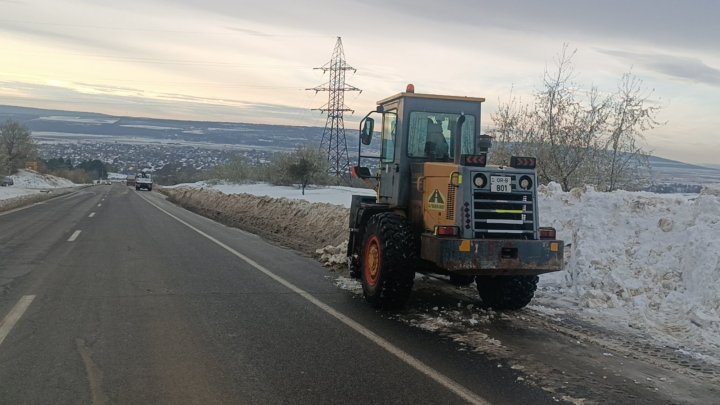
(388, 255)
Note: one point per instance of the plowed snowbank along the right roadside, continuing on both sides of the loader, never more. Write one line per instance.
(637, 260)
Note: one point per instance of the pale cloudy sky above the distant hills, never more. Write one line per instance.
(252, 61)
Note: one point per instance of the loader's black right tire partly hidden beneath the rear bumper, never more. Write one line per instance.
(506, 292)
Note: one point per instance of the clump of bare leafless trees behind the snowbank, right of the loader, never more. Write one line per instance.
(578, 136)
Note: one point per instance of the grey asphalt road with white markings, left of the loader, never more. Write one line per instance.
(109, 295)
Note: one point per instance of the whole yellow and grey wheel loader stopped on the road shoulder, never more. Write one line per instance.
(440, 208)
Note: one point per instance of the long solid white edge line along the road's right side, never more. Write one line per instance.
(418, 365)
